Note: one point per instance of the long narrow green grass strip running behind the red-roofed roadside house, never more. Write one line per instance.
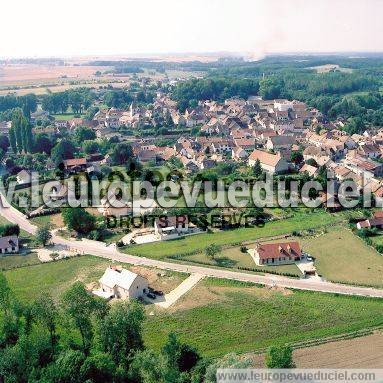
(300, 221)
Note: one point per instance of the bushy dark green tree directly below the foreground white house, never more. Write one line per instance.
(120, 332)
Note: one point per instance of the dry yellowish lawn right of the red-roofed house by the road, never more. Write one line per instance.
(343, 257)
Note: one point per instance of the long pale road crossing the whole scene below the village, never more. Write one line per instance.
(110, 252)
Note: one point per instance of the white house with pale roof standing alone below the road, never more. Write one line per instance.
(121, 283)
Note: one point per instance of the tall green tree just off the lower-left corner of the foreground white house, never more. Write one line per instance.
(79, 305)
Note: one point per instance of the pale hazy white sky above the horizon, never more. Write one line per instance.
(46, 28)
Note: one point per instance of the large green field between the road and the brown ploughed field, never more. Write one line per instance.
(219, 318)
